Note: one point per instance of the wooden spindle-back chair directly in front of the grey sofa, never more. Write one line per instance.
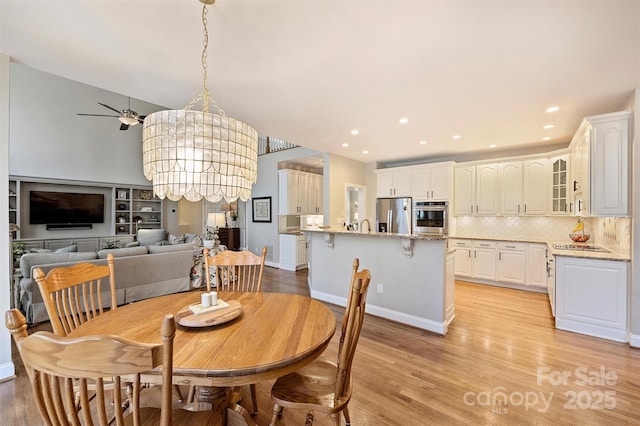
(74, 295)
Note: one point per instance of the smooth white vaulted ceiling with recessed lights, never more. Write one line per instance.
(311, 71)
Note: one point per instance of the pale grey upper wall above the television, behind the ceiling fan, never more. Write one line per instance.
(49, 140)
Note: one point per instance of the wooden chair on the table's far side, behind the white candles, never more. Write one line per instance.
(235, 270)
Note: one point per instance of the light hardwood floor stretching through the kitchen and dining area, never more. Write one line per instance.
(501, 343)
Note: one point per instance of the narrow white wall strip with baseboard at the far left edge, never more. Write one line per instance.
(6, 365)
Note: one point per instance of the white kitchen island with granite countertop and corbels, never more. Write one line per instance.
(412, 276)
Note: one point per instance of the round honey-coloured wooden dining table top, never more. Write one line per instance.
(275, 334)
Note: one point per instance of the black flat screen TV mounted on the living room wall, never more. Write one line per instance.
(65, 208)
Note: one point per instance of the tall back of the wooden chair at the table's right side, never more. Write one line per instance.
(351, 327)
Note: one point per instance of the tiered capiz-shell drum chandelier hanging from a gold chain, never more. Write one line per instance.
(199, 154)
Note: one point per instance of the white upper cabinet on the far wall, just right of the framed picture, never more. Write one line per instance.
(299, 192)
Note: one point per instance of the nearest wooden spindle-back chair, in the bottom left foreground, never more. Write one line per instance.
(60, 367)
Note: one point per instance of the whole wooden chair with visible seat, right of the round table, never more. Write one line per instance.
(323, 385)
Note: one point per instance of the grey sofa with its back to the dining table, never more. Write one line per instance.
(140, 273)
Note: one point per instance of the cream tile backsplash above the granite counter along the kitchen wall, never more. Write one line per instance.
(611, 232)
